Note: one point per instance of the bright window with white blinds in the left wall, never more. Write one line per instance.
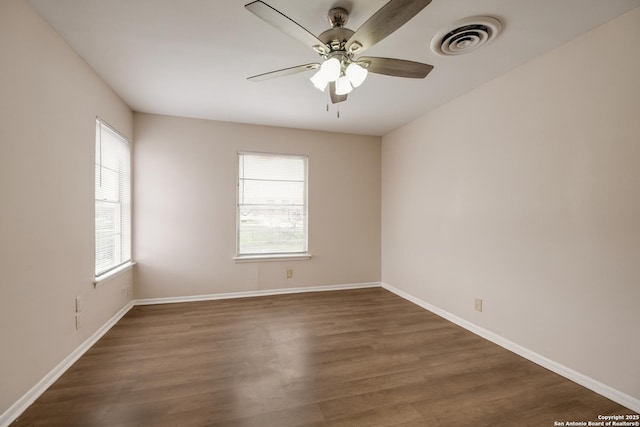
(113, 199)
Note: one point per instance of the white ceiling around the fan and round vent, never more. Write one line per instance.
(190, 58)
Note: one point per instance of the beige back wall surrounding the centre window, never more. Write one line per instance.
(185, 195)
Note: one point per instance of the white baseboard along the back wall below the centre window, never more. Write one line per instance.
(249, 294)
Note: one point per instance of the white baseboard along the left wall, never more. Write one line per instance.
(25, 401)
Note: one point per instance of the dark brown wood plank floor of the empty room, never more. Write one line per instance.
(345, 358)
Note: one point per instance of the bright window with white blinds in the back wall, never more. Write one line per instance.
(272, 205)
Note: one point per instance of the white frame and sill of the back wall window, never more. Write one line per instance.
(273, 256)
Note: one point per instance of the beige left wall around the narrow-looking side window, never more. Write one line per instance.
(49, 99)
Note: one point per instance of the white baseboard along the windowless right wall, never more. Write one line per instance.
(585, 381)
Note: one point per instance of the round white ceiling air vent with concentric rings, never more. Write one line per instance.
(466, 35)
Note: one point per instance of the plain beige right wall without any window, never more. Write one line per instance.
(526, 193)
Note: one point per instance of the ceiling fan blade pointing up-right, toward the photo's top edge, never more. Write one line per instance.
(385, 21)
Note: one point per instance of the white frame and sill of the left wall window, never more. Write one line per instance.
(101, 276)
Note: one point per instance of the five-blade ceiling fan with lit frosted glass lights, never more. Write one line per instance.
(342, 68)
